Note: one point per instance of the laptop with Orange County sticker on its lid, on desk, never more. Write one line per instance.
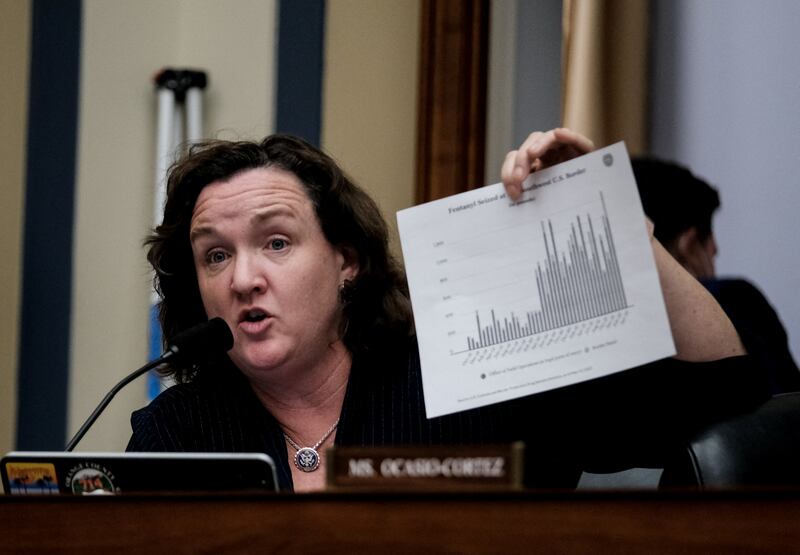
(69, 473)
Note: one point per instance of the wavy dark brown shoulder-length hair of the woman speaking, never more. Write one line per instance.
(377, 310)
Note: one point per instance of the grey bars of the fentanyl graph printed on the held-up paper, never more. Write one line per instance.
(575, 282)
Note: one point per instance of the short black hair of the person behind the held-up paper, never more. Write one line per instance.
(674, 198)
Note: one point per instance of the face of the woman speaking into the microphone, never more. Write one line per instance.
(265, 267)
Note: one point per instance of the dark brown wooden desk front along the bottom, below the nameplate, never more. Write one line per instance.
(514, 523)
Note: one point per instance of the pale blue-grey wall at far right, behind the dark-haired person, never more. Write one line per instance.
(727, 86)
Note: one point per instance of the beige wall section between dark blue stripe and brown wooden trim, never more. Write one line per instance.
(370, 96)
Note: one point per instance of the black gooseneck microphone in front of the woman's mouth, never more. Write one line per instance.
(196, 343)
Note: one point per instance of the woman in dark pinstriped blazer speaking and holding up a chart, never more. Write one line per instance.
(276, 240)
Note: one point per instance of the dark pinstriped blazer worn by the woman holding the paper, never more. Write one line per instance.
(629, 419)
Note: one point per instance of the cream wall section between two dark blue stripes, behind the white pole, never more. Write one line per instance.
(124, 44)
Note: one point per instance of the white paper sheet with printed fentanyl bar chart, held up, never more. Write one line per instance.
(515, 298)
